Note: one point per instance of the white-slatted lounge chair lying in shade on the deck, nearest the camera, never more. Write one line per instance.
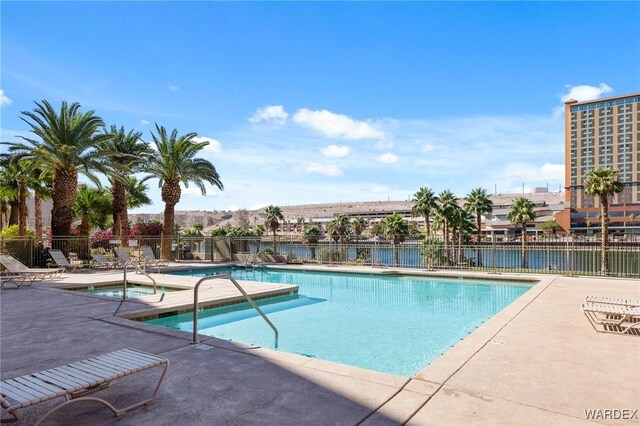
(73, 381)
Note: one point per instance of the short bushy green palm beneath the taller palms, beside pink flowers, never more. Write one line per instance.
(93, 208)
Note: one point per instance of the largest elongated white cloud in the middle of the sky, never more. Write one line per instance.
(334, 125)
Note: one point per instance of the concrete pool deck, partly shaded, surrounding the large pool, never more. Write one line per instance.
(536, 362)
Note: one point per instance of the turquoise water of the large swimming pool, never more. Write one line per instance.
(391, 324)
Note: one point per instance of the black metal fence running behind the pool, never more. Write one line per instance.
(564, 255)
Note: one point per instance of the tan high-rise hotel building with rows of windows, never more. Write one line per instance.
(602, 133)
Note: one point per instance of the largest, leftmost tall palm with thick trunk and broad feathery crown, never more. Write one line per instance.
(67, 141)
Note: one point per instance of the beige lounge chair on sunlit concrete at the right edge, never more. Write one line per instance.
(617, 319)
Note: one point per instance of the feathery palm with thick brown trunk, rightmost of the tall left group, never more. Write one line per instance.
(174, 162)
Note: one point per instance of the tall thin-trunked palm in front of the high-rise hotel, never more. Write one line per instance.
(604, 183)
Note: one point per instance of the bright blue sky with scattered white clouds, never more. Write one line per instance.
(324, 102)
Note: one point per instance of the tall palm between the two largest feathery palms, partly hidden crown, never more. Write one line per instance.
(130, 152)
